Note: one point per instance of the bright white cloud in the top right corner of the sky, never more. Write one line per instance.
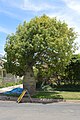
(73, 4)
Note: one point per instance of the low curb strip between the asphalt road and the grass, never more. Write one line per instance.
(36, 100)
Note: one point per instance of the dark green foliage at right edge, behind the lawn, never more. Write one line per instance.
(73, 70)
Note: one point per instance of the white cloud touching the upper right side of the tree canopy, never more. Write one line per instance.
(67, 16)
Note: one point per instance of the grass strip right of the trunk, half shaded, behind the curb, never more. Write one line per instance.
(58, 95)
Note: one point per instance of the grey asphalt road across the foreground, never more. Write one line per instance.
(34, 111)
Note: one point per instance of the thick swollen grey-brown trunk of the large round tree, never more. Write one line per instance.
(29, 82)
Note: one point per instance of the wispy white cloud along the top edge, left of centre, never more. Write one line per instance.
(28, 5)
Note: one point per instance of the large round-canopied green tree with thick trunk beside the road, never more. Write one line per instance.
(41, 41)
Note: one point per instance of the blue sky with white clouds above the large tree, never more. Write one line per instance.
(14, 12)
